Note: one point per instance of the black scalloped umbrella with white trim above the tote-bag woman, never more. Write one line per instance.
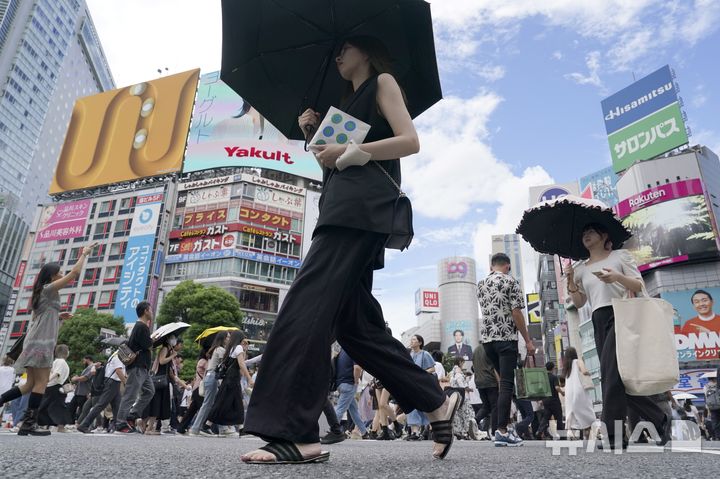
(555, 226)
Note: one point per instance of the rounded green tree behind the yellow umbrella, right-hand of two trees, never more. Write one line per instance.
(202, 307)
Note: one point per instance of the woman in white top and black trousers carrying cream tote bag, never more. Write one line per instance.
(608, 274)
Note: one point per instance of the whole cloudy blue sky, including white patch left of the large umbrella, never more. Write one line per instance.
(522, 80)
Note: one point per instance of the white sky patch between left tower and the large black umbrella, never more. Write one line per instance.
(140, 36)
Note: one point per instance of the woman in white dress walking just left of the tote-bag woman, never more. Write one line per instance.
(579, 413)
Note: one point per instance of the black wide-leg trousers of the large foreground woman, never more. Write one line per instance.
(331, 298)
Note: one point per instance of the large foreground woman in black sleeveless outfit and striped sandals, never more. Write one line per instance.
(331, 298)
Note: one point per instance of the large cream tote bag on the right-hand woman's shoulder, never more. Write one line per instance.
(645, 338)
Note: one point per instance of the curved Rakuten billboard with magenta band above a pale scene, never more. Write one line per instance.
(670, 224)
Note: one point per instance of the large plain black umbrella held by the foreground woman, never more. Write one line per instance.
(279, 55)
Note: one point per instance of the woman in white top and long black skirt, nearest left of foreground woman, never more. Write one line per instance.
(228, 409)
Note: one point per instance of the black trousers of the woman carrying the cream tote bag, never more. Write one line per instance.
(615, 399)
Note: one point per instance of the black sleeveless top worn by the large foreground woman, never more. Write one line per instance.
(361, 197)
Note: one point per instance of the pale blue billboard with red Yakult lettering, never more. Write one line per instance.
(227, 132)
